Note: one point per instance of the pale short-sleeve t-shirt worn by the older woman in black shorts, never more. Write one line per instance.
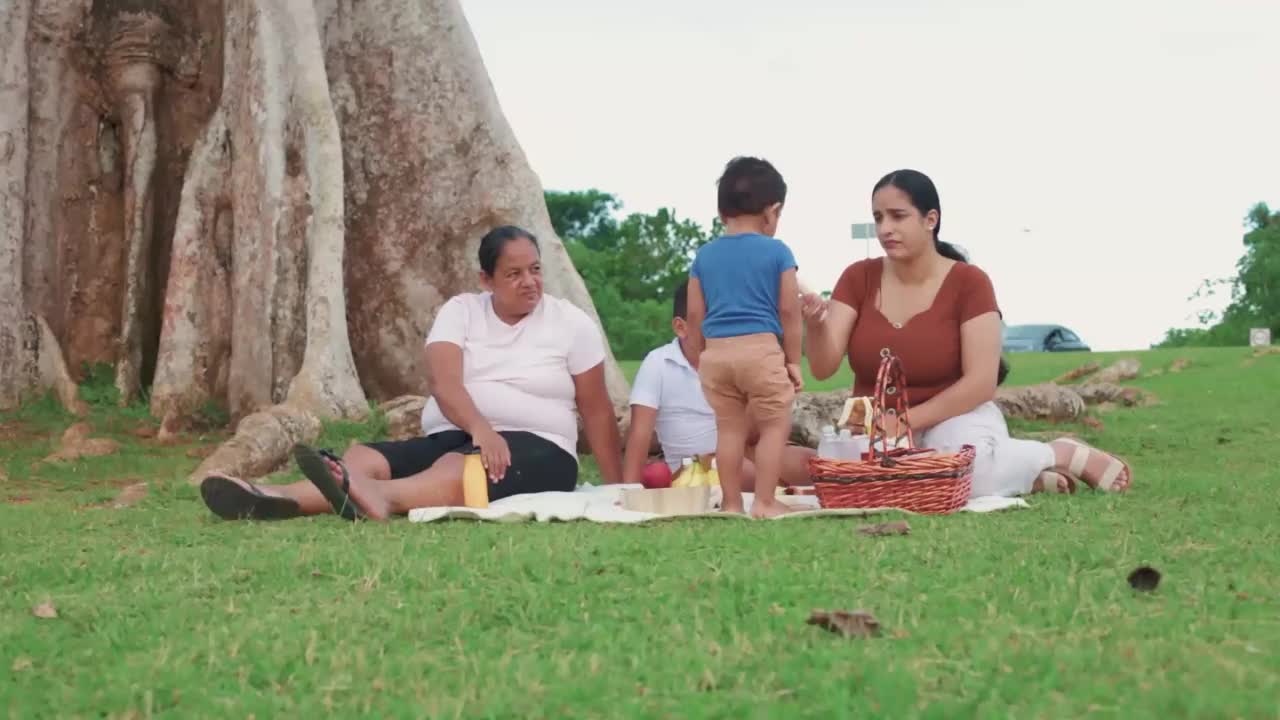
(520, 377)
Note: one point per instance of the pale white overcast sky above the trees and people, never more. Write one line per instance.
(1096, 158)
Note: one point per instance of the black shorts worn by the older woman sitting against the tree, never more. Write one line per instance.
(537, 464)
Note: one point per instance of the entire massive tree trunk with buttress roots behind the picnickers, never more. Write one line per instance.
(204, 195)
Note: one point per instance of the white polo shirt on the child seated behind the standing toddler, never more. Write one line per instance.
(669, 384)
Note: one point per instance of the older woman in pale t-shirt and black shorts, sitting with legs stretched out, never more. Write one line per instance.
(509, 368)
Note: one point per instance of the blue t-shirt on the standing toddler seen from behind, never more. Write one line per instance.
(740, 275)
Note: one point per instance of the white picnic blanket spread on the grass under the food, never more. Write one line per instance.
(602, 504)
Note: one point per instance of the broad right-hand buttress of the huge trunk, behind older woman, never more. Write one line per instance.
(432, 165)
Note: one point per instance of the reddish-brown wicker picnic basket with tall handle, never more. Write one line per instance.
(926, 481)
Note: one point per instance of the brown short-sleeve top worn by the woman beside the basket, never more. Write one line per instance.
(929, 345)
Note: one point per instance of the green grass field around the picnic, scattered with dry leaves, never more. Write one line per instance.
(166, 612)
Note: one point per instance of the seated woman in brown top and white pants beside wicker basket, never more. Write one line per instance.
(925, 303)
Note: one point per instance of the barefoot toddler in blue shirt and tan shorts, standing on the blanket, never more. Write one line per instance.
(744, 320)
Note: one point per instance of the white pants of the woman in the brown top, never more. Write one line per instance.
(1004, 466)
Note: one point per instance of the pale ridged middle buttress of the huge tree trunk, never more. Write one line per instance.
(259, 243)
